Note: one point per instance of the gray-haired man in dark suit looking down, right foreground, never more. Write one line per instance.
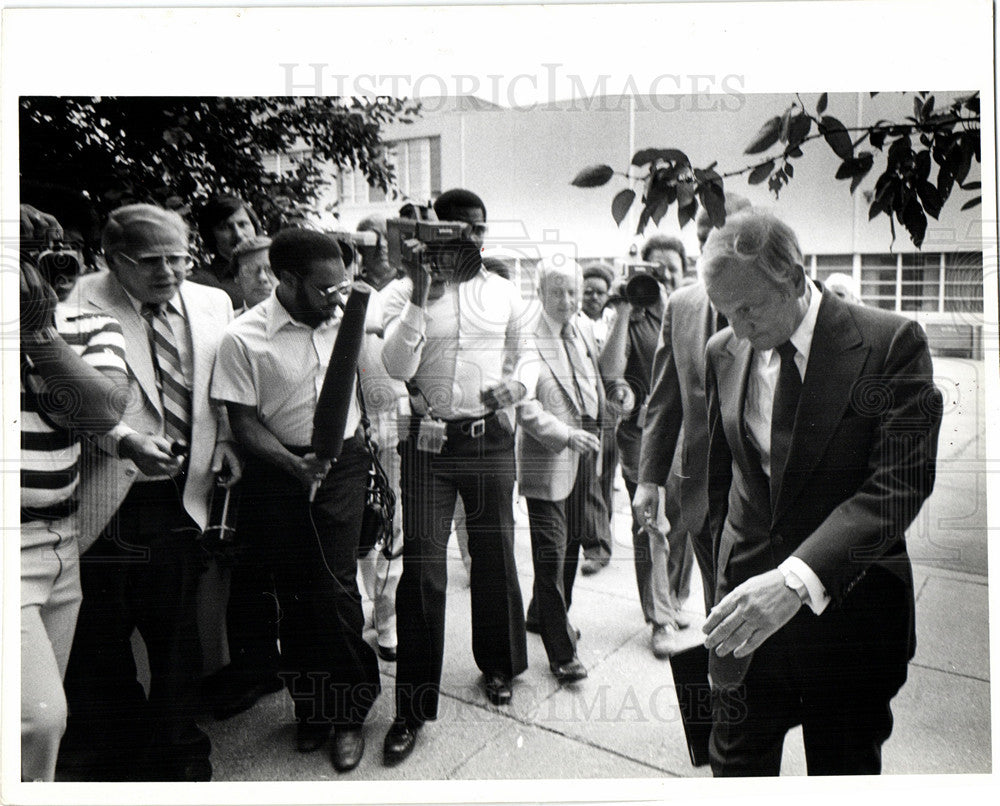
(823, 426)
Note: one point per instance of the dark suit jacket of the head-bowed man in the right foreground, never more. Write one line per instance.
(861, 462)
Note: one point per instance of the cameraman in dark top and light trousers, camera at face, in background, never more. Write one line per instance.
(662, 571)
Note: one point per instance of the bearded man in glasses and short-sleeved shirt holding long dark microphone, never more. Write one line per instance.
(269, 373)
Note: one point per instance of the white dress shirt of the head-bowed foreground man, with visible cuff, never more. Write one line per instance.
(761, 385)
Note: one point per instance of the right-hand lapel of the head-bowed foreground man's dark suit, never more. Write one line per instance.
(836, 358)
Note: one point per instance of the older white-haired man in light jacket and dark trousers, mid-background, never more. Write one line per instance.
(557, 448)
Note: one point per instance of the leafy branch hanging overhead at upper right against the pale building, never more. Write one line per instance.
(905, 192)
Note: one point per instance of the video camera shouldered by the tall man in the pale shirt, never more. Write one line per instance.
(442, 247)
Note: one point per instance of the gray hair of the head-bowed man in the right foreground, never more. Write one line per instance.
(755, 238)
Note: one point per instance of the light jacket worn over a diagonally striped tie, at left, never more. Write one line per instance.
(105, 480)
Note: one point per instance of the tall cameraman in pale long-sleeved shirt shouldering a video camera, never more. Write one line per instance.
(452, 333)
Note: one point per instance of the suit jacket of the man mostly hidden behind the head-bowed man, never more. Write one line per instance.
(677, 397)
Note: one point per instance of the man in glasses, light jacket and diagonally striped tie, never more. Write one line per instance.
(154, 472)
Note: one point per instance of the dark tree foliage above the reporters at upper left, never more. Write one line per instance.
(178, 151)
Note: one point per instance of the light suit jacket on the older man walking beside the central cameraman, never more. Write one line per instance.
(546, 466)
